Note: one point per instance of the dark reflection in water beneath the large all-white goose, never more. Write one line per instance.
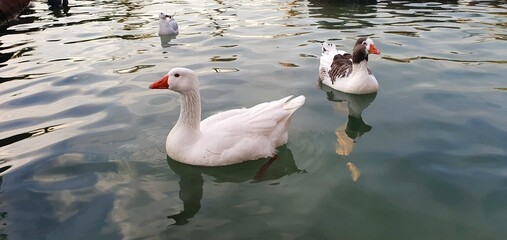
(192, 182)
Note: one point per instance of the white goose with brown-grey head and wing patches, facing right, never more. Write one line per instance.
(347, 72)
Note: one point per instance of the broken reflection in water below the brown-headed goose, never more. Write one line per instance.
(346, 134)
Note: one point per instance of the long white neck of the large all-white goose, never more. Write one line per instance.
(190, 111)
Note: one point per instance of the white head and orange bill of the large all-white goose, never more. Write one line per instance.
(179, 80)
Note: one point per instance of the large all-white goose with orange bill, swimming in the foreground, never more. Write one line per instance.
(228, 137)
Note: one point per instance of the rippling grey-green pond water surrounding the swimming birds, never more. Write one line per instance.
(82, 137)
